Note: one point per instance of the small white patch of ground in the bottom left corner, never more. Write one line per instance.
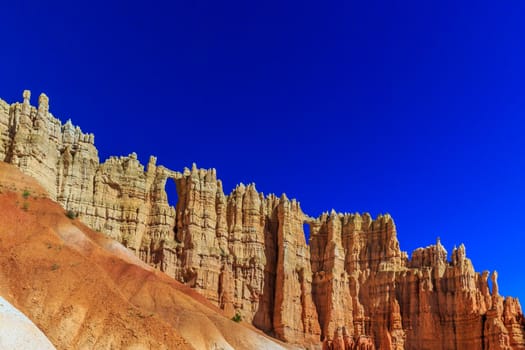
(17, 332)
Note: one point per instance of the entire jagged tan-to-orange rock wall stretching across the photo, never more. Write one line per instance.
(351, 287)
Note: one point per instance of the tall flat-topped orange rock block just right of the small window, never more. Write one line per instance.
(353, 260)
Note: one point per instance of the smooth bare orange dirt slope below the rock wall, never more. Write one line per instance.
(86, 291)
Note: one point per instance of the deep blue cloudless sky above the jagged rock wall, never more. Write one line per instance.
(414, 108)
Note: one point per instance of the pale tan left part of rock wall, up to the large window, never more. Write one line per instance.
(116, 197)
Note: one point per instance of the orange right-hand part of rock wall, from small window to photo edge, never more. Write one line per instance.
(365, 287)
